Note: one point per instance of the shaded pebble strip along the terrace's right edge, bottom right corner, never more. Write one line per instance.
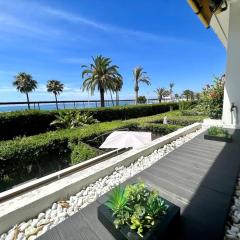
(233, 224)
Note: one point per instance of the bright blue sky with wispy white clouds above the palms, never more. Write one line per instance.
(52, 39)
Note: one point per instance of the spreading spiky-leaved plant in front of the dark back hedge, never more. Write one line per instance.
(73, 119)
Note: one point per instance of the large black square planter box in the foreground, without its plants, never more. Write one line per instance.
(164, 228)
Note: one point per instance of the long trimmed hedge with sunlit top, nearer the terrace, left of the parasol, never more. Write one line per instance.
(17, 155)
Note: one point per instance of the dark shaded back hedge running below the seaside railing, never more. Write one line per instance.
(20, 123)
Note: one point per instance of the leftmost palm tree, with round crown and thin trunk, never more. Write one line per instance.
(25, 84)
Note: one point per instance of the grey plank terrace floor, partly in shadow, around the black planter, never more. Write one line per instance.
(199, 177)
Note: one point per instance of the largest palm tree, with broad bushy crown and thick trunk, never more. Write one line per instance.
(101, 75)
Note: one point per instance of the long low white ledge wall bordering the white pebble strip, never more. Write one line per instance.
(31, 203)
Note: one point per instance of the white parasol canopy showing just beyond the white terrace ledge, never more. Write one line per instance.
(126, 139)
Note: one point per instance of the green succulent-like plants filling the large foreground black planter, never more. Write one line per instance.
(136, 206)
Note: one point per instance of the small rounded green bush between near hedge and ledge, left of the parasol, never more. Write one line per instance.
(82, 152)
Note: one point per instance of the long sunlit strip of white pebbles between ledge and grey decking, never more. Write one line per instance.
(59, 211)
